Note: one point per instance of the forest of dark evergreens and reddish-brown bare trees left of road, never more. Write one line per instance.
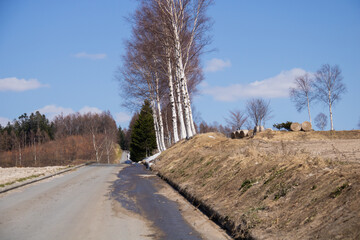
(35, 141)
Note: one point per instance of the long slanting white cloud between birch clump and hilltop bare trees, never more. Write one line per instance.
(274, 87)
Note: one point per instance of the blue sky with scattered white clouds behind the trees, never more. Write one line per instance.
(61, 56)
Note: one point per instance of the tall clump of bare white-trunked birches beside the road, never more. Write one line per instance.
(167, 39)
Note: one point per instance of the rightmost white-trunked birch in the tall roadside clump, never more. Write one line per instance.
(186, 19)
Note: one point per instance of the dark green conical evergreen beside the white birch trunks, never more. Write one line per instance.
(143, 139)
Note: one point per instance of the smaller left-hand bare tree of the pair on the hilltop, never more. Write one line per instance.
(302, 94)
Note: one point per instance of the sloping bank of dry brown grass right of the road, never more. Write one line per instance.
(274, 186)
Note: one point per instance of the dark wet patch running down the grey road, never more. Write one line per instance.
(137, 190)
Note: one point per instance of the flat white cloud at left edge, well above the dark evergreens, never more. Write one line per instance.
(19, 85)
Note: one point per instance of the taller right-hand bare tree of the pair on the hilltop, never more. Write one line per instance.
(329, 87)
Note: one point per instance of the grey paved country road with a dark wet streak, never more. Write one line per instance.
(102, 202)
